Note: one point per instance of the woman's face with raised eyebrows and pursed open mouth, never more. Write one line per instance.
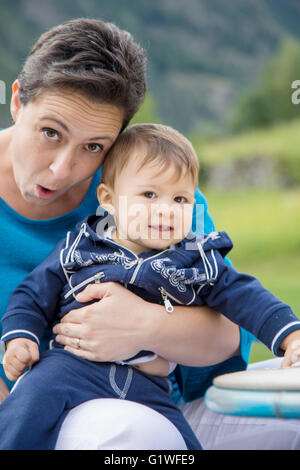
(59, 141)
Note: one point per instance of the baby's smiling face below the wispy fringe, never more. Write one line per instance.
(153, 210)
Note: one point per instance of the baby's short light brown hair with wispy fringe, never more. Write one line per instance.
(158, 143)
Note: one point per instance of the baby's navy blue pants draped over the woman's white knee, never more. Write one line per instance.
(32, 415)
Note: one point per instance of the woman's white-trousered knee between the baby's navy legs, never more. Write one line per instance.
(111, 424)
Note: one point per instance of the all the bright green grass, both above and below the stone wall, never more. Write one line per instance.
(263, 224)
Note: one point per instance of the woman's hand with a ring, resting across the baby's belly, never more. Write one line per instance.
(112, 329)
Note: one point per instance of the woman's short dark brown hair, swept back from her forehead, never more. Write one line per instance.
(88, 56)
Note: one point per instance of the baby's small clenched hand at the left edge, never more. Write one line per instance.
(20, 353)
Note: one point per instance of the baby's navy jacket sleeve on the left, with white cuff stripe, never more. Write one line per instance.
(33, 305)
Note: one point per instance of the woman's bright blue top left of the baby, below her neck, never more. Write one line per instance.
(25, 243)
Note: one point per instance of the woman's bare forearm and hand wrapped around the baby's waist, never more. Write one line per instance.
(121, 324)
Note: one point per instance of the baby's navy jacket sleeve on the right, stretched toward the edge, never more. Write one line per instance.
(243, 299)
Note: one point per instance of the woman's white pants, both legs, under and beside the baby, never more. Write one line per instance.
(120, 424)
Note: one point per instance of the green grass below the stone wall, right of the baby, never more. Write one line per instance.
(265, 229)
